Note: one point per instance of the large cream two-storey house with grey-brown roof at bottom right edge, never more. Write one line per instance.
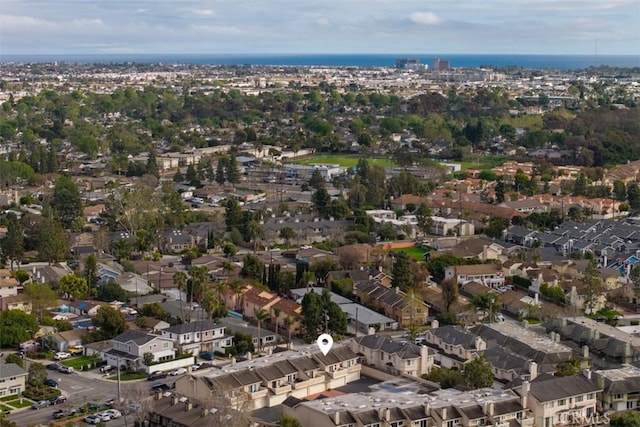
(562, 400)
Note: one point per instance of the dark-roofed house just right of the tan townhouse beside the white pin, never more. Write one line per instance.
(454, 345)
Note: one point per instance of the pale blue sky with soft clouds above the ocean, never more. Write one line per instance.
(320, 26)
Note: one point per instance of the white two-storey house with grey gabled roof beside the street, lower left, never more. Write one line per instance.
(129, 347)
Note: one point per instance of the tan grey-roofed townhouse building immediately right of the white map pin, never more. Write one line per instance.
(393, 356)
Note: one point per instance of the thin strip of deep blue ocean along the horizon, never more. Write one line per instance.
(561, 62)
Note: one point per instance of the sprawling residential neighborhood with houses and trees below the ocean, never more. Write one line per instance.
(175, 238)
